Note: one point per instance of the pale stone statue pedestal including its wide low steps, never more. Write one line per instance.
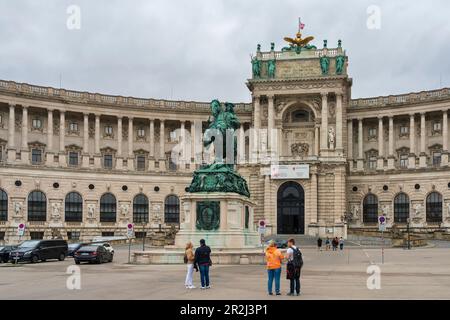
(224, 220)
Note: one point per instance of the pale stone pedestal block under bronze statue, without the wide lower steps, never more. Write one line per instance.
(224, 220)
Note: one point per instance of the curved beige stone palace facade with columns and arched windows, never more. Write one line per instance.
(81, 165)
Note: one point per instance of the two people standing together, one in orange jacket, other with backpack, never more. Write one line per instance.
(294, 265)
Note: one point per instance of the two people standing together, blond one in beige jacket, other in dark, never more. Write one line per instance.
(200, 260)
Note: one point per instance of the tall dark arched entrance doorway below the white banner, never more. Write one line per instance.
(291, 209)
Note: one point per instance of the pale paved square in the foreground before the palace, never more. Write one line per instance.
(415, 274)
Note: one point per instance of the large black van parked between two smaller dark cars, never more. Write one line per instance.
(39, 250)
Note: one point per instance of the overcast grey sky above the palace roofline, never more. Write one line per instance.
(200, 49)
